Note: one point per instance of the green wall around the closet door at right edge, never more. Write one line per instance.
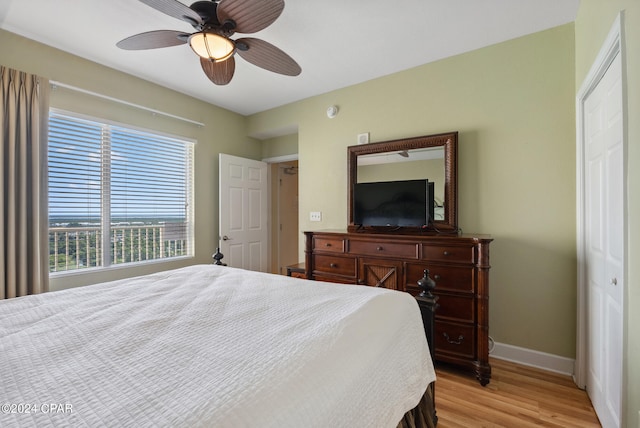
(592, 25)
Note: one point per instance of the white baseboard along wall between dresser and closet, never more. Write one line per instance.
(529, 357)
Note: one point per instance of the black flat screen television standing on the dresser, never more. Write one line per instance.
(393, 203)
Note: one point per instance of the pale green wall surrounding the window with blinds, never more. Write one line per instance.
(223, 131)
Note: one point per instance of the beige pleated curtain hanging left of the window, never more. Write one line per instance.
(24, 249)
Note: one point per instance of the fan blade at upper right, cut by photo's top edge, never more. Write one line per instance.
(250, 16)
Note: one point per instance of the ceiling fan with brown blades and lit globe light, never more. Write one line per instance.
(215, 21)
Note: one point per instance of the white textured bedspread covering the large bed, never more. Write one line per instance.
(212, 346)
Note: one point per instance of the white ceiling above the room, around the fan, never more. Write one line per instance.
(337, 43)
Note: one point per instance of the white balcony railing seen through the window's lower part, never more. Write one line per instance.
(80, 247)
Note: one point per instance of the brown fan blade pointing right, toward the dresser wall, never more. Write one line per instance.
(265, 55)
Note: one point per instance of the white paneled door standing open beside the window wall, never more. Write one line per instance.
(243, 212)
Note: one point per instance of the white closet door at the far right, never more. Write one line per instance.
(604, 242)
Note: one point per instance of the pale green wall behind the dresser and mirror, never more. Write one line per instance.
(513, 104)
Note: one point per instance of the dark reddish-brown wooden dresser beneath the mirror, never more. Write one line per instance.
(458, 264)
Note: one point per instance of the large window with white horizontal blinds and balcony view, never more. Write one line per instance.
(116, 194)
